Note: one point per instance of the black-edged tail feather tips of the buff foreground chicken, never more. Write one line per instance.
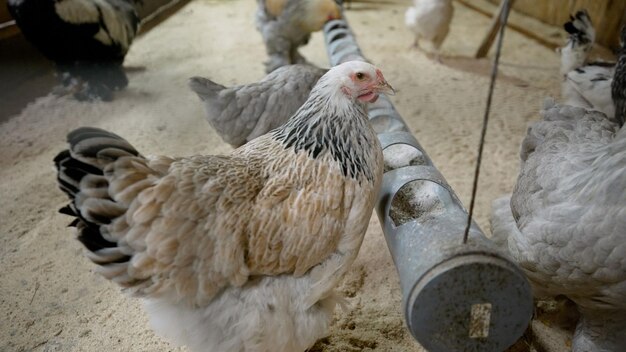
(81, 175)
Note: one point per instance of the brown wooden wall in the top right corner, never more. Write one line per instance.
(607, 16)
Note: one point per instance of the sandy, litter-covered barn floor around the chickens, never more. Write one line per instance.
(49, 297)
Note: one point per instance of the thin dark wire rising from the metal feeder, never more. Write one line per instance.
(494, 73)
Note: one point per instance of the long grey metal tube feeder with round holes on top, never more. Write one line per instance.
(456, 296)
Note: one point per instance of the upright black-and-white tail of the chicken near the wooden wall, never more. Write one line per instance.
(581, 38)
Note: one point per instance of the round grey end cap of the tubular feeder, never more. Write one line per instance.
(470, 302)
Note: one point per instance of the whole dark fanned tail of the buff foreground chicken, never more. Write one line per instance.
(83, 173)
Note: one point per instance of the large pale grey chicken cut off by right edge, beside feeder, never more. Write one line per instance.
(565, 222)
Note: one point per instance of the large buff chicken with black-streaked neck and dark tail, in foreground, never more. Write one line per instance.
(239, 252)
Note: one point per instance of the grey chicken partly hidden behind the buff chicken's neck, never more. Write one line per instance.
(241, 113)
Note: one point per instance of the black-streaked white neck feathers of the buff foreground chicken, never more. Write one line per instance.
(331, 122)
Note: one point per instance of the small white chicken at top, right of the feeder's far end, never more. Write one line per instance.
(430, 20)
